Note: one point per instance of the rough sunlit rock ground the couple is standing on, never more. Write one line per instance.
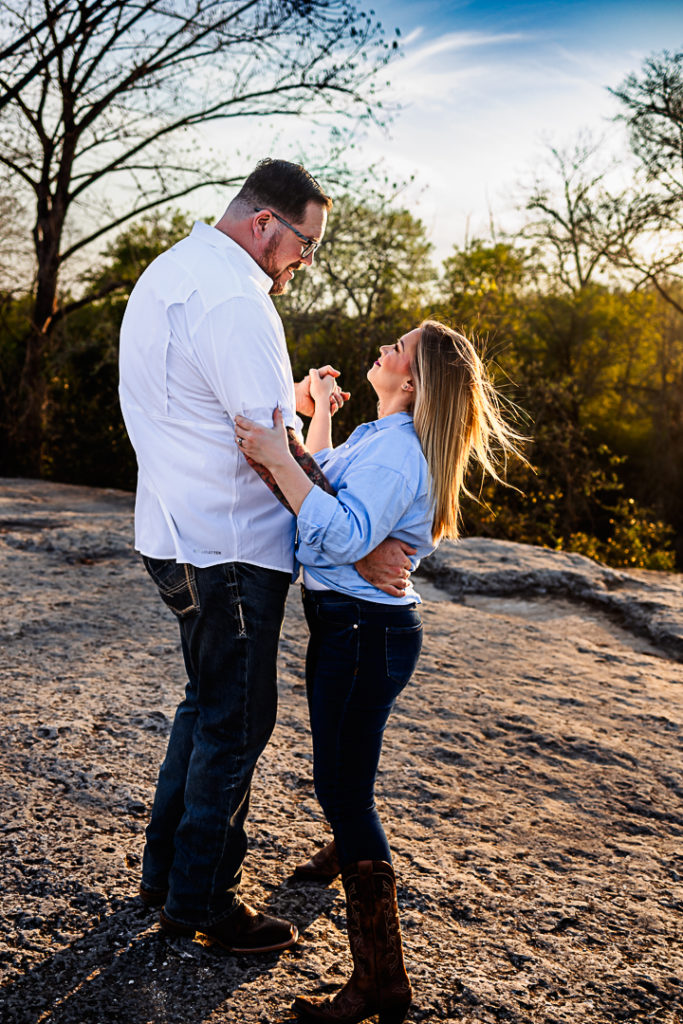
(531, 788)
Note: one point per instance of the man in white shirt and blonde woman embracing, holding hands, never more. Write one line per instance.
(204, 365)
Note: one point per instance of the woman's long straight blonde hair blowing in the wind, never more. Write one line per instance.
(457, 417)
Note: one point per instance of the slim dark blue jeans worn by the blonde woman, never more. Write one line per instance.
(361, 656)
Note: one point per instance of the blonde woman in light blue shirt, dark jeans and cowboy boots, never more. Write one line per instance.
(401, 476)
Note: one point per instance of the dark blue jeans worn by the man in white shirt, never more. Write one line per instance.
(230, 618)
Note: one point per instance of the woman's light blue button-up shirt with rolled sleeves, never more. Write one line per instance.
(383, 490)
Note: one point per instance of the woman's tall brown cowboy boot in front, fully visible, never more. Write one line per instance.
(379, 983)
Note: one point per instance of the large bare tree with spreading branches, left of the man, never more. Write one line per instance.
(102, 98)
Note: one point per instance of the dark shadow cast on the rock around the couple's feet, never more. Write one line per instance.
(125, 969)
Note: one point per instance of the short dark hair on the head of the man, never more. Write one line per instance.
(283, 187)
